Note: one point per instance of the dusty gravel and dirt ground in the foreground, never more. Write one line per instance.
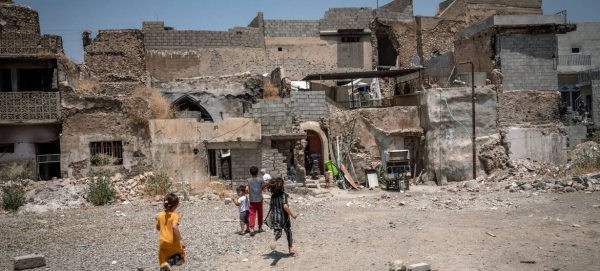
(488, 230)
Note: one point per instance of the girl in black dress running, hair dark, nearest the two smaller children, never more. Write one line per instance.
(281, 213)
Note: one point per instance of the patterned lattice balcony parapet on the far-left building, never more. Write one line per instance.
(29, 107)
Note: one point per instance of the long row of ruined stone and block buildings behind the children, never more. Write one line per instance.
(234, 107)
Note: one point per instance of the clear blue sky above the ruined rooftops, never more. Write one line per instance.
(69, 18)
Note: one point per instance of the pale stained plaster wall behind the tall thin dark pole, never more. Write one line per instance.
(448, 146)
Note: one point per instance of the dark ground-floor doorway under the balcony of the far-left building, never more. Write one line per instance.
(48, 160)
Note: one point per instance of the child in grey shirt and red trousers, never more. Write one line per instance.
(254, 186)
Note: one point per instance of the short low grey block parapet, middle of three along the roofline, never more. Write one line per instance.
(291, 28)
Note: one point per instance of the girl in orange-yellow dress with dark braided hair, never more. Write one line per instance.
(170, 244)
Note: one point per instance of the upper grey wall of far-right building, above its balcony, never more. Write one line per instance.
(585, 37)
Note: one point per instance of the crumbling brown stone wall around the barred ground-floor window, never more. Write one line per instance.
(91, 118)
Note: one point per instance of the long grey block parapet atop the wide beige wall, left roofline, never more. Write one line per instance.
(157, 36)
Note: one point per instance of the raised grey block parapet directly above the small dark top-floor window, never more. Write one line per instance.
(346, 18)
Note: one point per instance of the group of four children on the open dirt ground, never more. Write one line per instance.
(171, 247)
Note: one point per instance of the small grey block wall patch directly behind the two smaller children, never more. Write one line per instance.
(241, 161)
